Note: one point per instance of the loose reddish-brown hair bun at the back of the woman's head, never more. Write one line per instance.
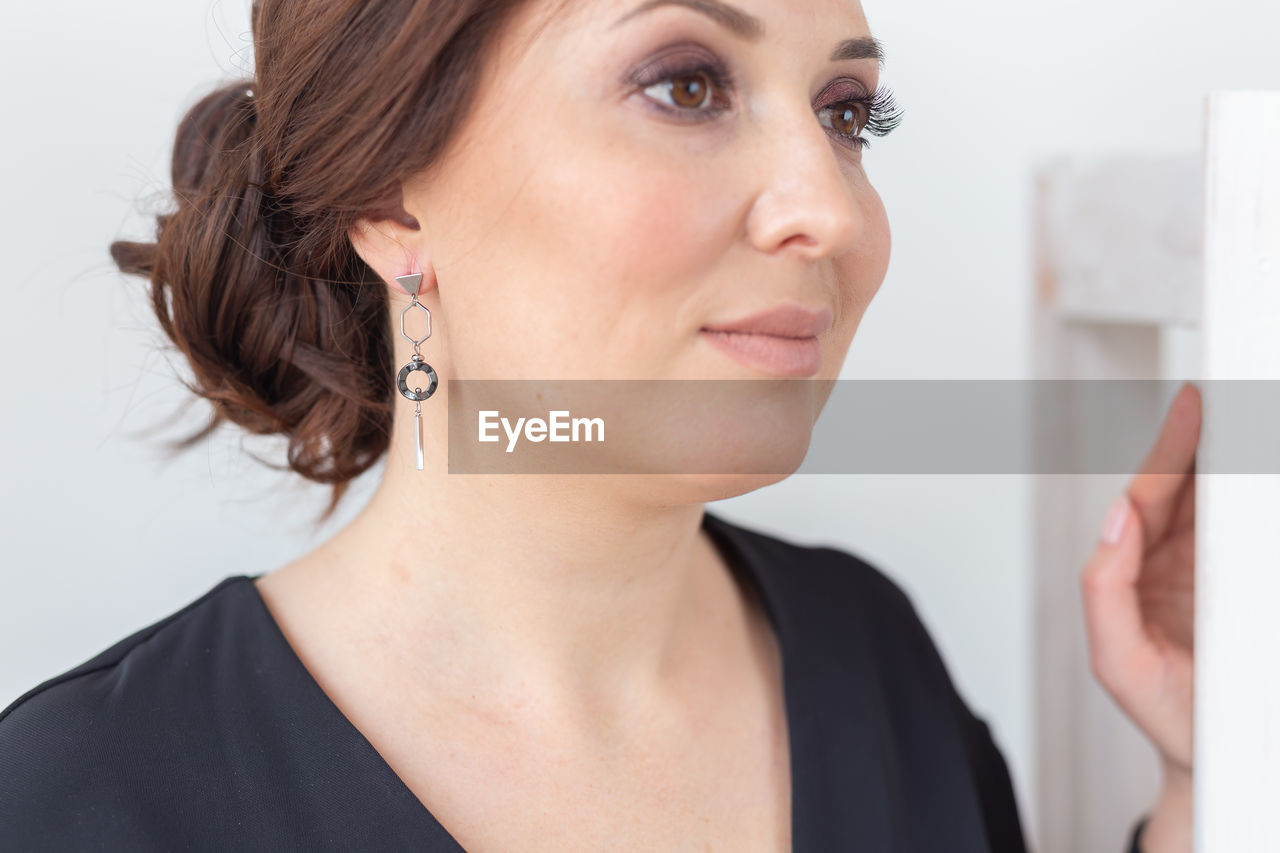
(277, 344)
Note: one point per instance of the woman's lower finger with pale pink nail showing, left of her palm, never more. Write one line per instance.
(1119, 646)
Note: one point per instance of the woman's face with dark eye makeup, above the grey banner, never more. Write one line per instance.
(629, 177)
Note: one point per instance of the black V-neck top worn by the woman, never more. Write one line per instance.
(204, 732)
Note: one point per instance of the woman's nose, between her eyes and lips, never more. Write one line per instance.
(808, 200)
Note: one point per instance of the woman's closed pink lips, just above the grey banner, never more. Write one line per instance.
(779, 341)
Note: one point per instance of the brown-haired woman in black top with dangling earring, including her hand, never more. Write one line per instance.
(538, 663)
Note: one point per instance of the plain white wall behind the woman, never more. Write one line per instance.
(102, 539)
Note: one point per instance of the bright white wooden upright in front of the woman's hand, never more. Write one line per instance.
(1238, 530)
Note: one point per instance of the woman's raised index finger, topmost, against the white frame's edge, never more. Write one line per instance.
(1168, 467)
